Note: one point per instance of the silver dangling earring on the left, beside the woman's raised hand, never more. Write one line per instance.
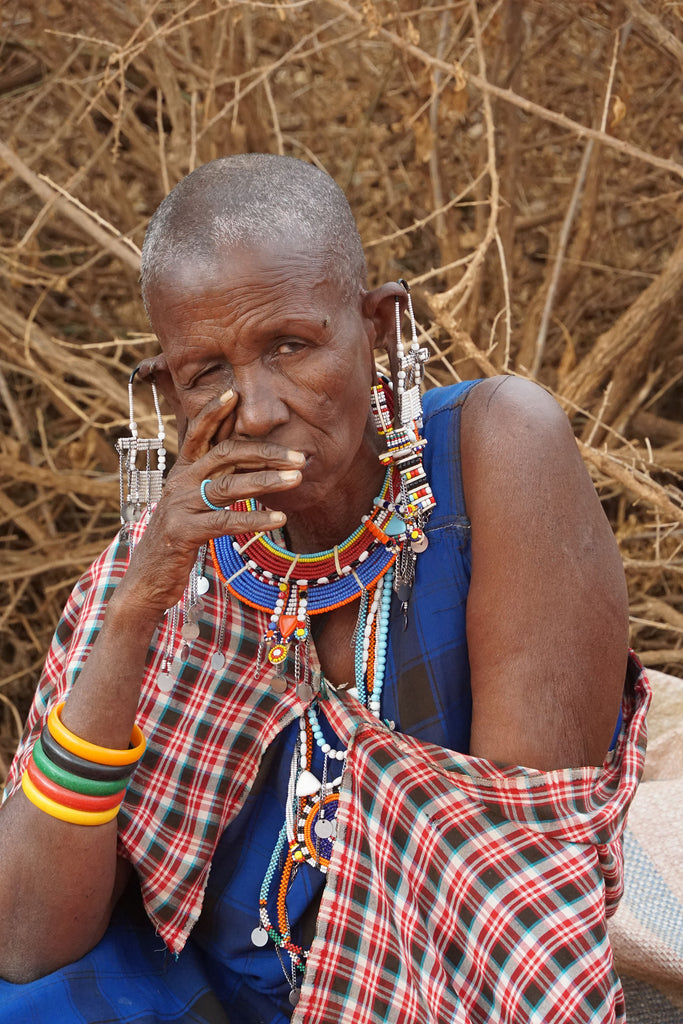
(140, 488)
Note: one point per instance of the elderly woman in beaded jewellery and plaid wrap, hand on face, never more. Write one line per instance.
(338, 723)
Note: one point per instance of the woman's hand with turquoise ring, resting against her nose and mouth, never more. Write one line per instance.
(182, 523)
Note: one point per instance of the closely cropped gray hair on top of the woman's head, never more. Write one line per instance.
(251, 200)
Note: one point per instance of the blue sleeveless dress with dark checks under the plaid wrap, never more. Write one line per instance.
(221, 977)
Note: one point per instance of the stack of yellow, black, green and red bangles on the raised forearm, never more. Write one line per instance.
(75, 781)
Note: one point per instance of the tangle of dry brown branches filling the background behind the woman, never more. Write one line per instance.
(518, 161)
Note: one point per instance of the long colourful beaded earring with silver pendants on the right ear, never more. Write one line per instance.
(404, 446)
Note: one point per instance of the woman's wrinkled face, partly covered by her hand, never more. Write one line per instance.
(274, 328)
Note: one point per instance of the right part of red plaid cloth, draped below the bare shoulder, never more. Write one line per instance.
(466, 893)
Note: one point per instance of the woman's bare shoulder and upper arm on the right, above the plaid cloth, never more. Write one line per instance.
(547, 614)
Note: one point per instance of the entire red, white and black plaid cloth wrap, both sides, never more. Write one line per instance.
(457, 891)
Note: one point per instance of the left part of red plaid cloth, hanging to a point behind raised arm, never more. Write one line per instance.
(205, 740)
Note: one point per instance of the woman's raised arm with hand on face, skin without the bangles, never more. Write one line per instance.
(60, 881)
